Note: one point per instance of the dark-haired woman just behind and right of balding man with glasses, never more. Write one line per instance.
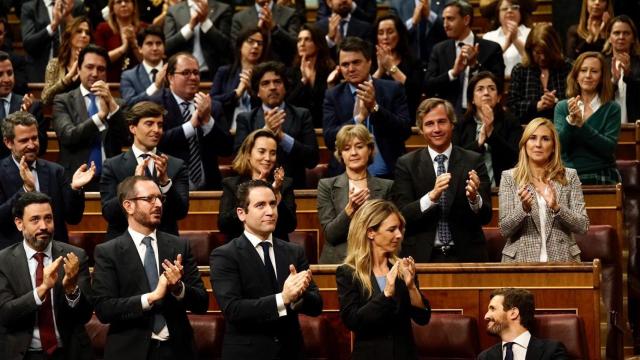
(232, 83)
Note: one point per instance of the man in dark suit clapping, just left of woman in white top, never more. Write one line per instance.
(453, 62)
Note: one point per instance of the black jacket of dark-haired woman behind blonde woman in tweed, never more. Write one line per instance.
(503, 142)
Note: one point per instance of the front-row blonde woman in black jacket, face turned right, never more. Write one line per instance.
(378, 292)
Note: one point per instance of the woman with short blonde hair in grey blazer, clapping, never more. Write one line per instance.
(339, 197)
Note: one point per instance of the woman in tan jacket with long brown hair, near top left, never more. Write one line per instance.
(62, 71)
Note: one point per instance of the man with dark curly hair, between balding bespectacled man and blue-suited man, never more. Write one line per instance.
(298, 147)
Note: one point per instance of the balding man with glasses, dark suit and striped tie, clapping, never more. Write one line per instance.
(195, 129)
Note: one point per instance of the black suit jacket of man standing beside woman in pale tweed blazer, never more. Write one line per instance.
(415, 176)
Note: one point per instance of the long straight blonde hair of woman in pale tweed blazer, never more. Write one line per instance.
(553, 169)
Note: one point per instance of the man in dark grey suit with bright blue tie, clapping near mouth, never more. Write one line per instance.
(88, 121)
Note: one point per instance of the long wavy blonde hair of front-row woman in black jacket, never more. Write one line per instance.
(359, 250)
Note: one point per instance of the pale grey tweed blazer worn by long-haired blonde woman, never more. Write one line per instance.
(522, 230)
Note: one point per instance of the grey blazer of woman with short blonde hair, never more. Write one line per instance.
(333, 195)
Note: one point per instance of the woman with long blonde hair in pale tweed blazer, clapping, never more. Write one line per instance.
(541, 201)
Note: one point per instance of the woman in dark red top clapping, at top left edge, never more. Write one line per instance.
(118, 36)
